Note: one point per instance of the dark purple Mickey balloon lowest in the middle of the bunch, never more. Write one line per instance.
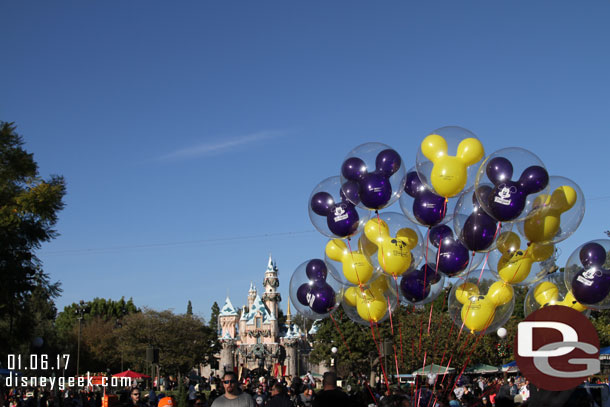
(422, 285)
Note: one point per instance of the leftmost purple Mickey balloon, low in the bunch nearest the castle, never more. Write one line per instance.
(317, 294)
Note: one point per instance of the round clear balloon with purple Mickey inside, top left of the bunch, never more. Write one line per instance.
(374, 174)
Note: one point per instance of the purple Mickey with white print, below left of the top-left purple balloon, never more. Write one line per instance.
(341, 217)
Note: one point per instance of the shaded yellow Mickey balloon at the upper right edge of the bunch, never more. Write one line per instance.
(543, 223)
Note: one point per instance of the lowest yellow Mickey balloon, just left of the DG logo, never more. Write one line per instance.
(478, 311)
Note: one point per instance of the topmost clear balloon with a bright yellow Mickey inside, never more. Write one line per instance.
(448, 159)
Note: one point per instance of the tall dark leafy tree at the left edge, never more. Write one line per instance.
(29, 207)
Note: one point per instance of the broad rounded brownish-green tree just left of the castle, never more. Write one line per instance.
(183, 341)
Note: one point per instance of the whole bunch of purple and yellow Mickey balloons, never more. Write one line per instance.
(503, 211)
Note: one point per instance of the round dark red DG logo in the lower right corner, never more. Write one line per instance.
(557, 348)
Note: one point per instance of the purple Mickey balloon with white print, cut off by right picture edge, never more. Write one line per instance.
(591, 284)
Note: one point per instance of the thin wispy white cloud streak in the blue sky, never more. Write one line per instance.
(220, 146)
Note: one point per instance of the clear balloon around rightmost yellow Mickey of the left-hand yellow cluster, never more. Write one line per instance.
(398, 241)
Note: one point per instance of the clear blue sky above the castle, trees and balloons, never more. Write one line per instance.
(192, 133)
